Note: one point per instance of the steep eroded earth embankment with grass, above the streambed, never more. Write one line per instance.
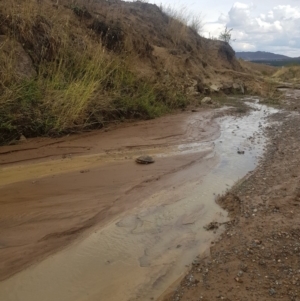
(66, 66)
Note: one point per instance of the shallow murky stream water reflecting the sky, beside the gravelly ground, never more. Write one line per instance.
(144, 250)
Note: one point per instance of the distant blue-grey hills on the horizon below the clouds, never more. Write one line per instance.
(267, 58)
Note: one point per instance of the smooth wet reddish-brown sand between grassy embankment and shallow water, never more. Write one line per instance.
(54, 190)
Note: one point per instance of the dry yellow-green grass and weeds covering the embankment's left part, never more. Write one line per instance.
(74, 83)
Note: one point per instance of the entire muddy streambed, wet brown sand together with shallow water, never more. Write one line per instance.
(140, 226)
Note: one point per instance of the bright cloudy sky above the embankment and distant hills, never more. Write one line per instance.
(257, 25)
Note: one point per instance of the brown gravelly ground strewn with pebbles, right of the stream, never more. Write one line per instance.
(258, 255)
